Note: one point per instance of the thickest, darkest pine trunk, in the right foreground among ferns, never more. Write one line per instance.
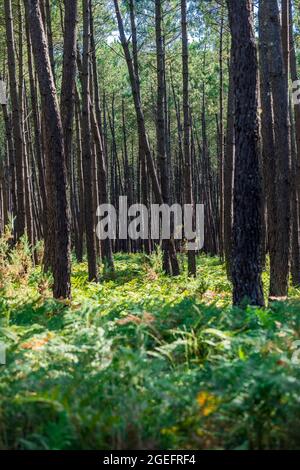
(247, 235)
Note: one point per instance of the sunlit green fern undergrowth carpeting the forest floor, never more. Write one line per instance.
(141, 360)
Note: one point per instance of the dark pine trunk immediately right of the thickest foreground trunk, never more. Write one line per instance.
(280, 269)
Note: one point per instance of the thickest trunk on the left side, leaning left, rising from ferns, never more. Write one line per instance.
(56, 155)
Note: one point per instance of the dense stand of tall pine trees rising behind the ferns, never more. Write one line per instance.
(153, 118)
